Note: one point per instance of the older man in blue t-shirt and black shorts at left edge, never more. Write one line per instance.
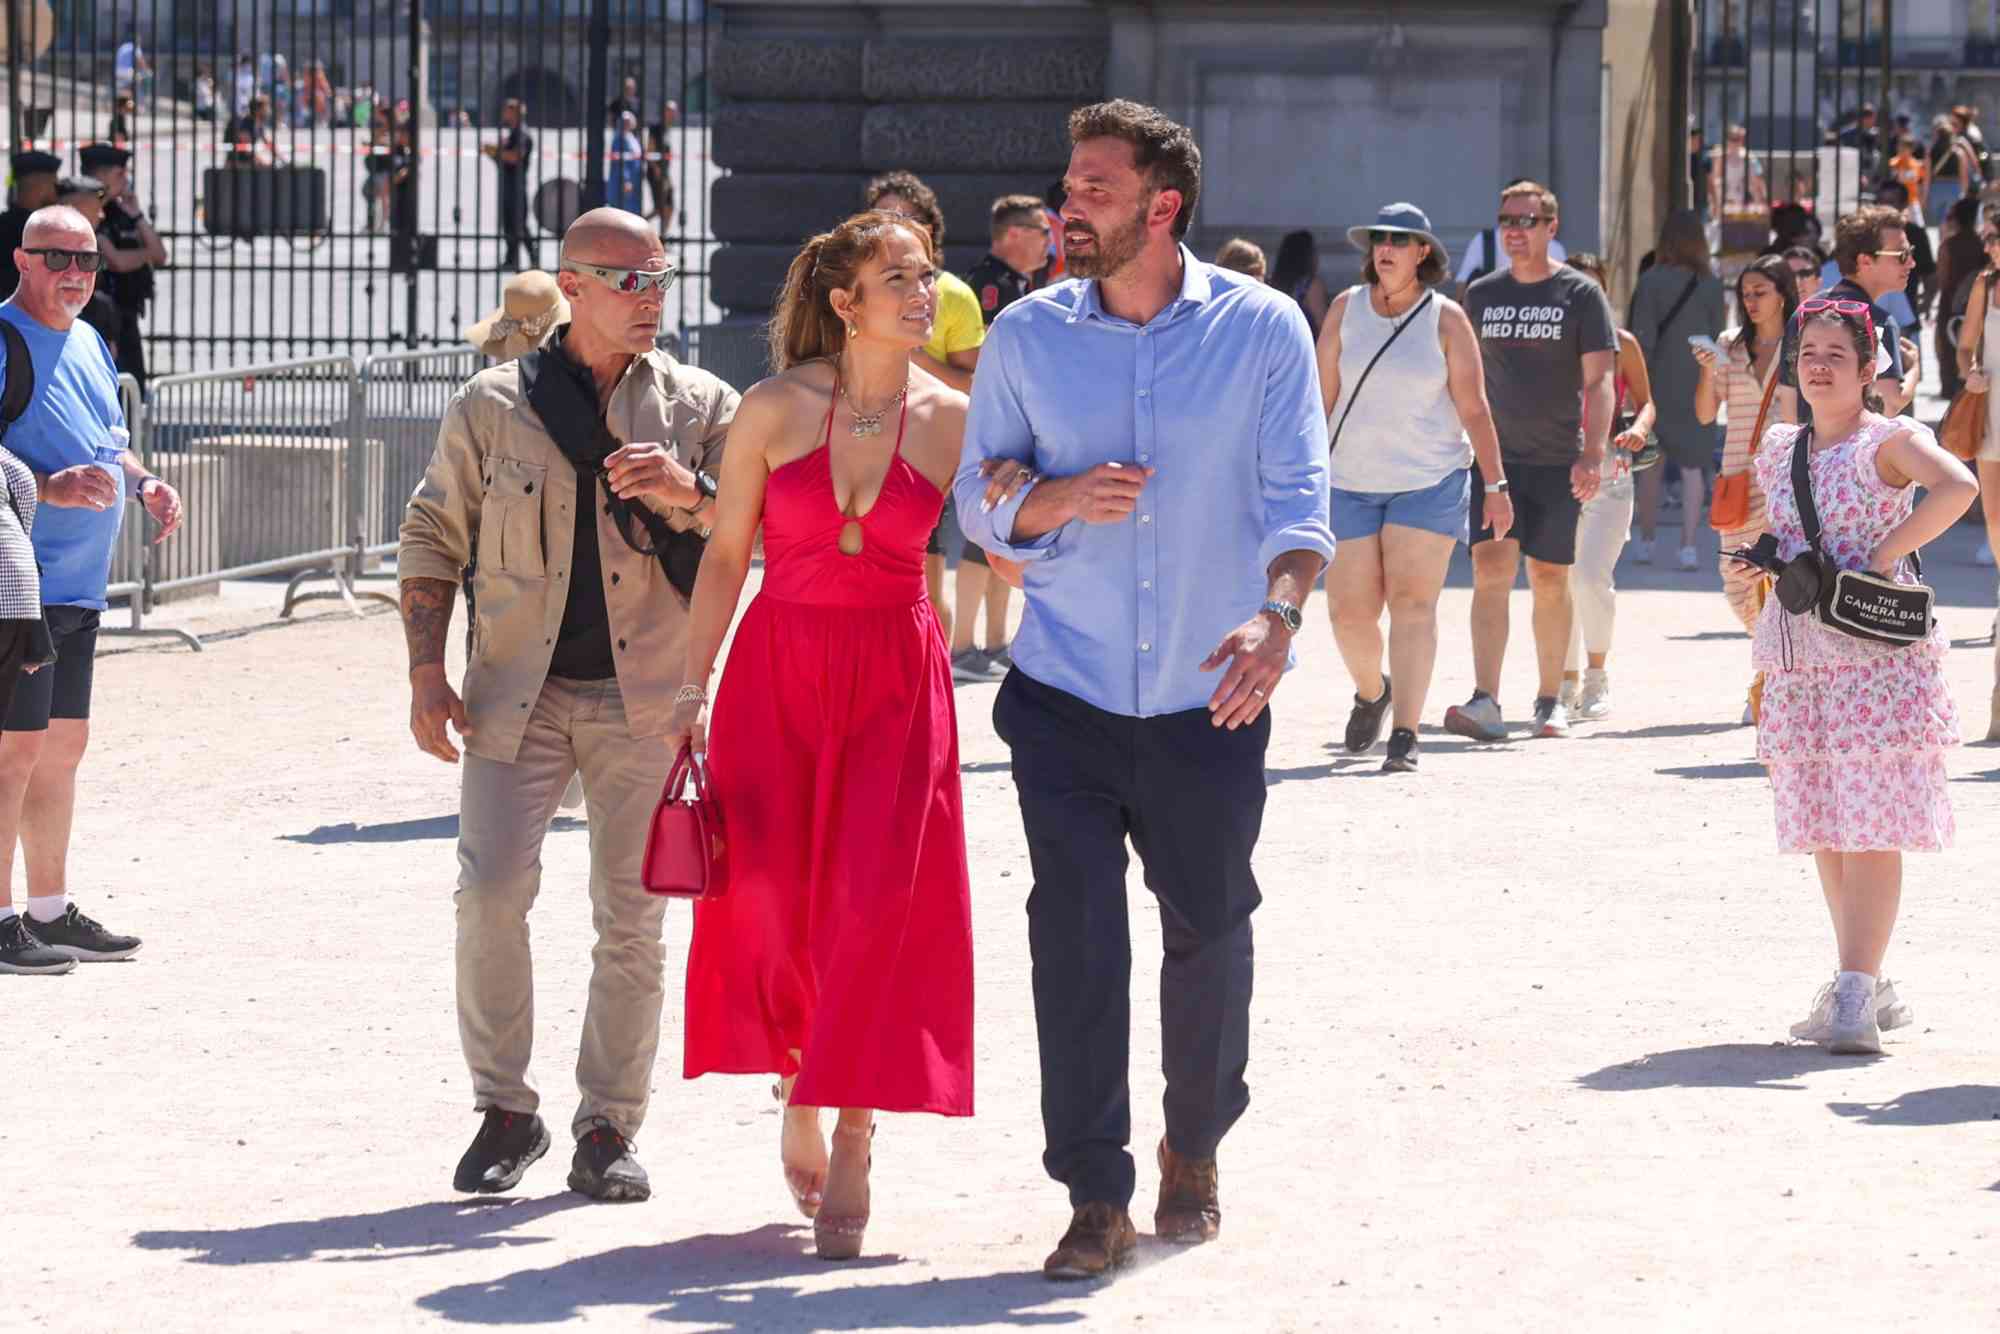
(73, 417)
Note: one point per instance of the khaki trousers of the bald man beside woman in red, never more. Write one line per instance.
(505, 813)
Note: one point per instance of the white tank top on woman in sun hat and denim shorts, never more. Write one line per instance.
(1403, 431)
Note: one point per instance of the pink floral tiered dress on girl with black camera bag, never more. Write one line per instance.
(1853, 733)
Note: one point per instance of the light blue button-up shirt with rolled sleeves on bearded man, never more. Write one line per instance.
(1221, 395)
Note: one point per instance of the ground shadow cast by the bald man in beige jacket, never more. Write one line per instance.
(445, 1227)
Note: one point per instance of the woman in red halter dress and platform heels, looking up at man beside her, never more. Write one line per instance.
(841, 957)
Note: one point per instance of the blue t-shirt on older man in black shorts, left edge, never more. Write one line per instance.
(73, 411)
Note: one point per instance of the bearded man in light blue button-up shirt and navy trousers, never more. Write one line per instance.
(1157, 433)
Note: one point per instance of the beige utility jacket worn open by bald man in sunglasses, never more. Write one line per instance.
(499, 487)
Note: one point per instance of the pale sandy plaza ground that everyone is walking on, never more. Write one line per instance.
(1517, 1041)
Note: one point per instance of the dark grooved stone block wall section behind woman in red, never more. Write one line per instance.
(813, 109)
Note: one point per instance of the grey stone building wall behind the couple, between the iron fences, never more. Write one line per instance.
(1311, 113)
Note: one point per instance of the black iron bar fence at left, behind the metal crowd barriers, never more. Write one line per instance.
(321, 169)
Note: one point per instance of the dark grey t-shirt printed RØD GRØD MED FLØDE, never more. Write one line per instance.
(1533, 339)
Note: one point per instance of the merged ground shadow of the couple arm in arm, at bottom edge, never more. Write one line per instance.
(735, 1283)
